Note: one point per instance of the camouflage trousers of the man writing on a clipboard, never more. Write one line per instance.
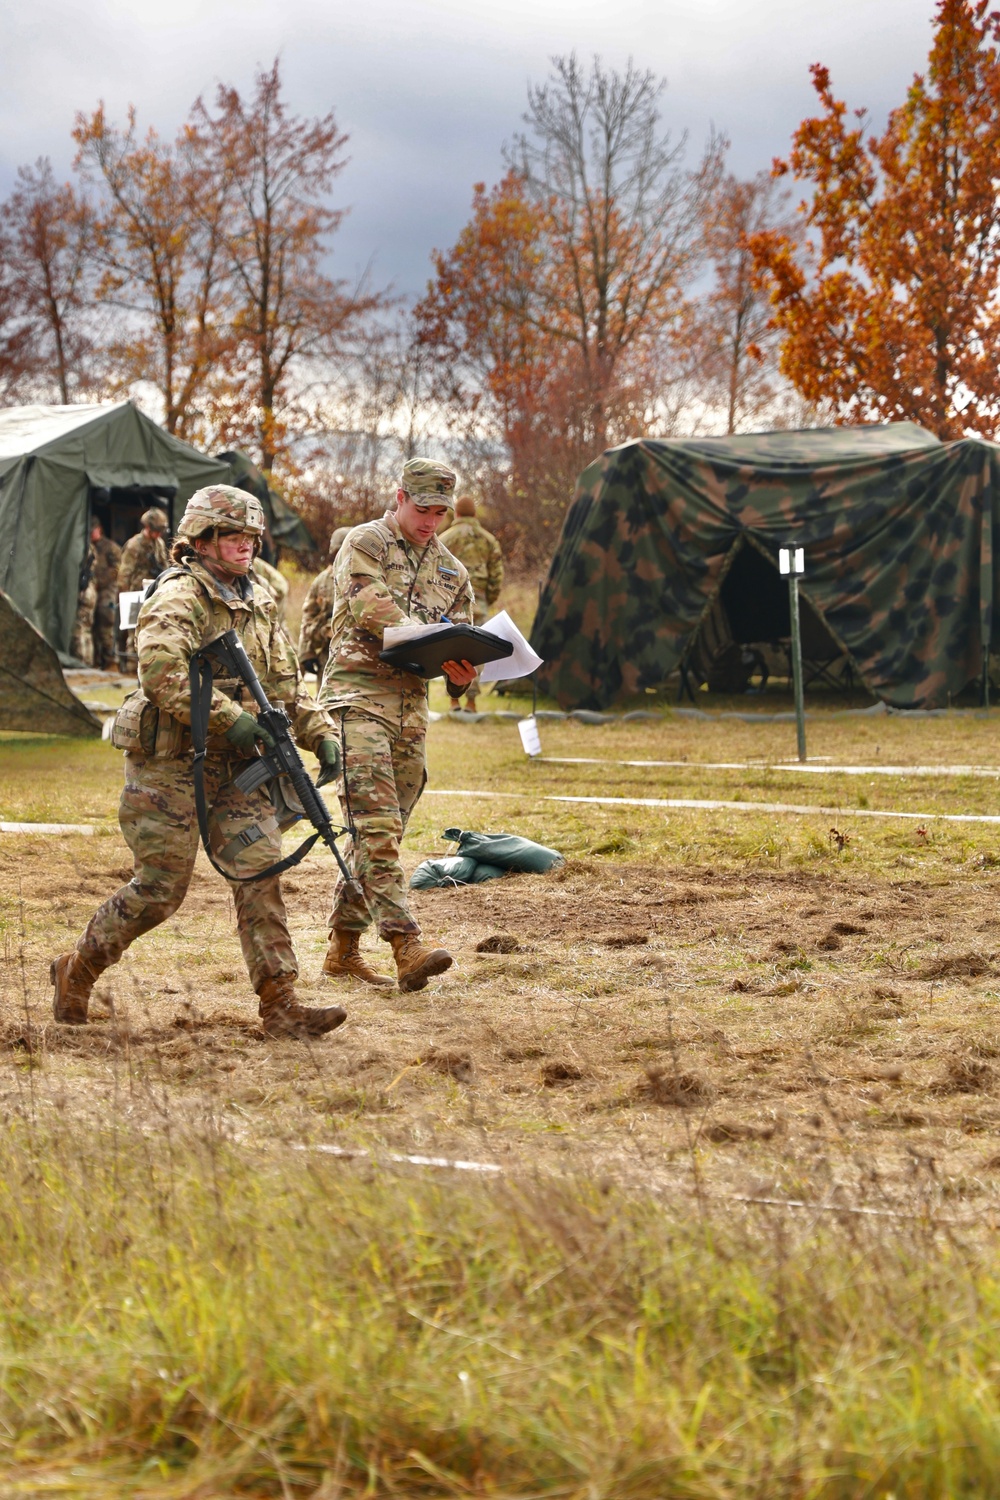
(383, 779)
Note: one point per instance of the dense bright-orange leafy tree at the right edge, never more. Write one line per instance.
(894, 311)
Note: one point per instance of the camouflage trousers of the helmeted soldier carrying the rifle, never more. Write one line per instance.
(161, 829)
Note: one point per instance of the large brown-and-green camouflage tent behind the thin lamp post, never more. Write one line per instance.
(899, 535)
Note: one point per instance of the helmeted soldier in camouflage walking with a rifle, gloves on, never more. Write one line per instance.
(209, 592)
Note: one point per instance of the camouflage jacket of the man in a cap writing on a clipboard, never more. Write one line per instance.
(385, 581)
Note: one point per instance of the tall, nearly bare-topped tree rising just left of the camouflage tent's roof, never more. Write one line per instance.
(623, 218)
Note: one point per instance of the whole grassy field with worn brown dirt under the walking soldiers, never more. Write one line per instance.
(722, 1097)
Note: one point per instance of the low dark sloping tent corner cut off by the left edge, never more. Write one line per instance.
(34, 692)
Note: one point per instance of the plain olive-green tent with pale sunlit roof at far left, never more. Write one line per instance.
(62, 467)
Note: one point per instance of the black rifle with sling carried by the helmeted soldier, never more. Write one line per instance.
(284, 760)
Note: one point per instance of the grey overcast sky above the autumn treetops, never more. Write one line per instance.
(431, 89)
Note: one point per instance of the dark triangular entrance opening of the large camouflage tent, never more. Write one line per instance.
(746, 632)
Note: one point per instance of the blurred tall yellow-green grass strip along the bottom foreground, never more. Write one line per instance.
(187, 1318)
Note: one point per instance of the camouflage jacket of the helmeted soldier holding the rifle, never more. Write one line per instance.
(191, 608)
